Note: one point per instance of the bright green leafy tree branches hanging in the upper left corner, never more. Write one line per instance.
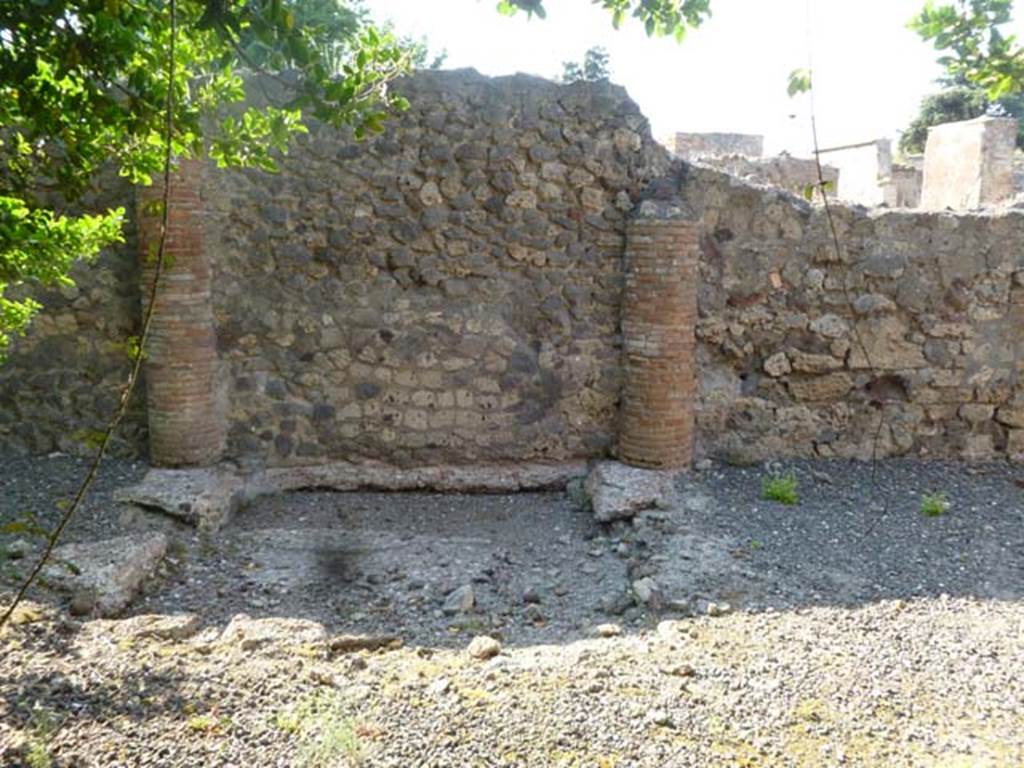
(83, 86)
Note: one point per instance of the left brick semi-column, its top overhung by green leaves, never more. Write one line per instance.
(186, 429)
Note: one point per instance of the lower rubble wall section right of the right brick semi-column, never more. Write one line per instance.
(936, 300)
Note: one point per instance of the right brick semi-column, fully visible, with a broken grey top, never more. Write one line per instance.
(659, 343)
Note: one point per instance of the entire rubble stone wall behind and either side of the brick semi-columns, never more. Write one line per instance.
(451, 292)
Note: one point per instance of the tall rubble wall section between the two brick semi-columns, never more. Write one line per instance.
(446, 293)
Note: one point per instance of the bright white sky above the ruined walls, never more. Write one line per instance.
(731, 75)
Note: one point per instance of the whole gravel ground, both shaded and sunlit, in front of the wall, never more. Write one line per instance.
(848, 630)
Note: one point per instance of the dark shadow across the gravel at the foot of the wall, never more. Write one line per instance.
(541, 571)
